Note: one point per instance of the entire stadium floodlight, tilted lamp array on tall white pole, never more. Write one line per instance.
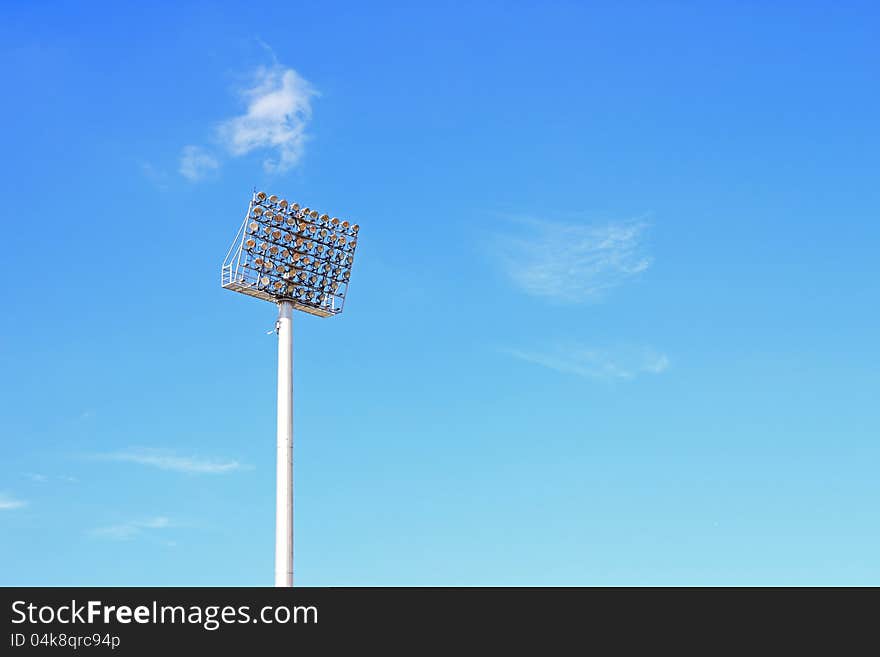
(292, 256)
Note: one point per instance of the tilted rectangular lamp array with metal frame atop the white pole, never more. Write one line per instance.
(288, 252)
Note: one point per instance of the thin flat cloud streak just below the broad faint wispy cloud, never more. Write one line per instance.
(612, 364)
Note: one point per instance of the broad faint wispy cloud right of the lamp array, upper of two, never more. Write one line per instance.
(573, 263)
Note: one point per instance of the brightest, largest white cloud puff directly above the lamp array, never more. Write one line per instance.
(278, 108)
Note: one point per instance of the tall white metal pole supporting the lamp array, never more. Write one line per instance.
(284, 473)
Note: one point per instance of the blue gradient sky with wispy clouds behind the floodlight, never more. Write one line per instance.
(613, 317)
